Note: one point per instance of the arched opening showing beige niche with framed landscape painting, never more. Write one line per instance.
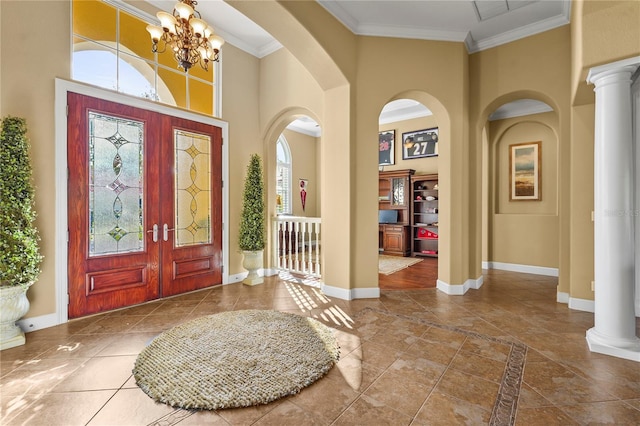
(520, 231)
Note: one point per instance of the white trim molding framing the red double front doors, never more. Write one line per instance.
(60, 117)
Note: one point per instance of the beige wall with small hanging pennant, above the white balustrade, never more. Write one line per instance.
(304, 151)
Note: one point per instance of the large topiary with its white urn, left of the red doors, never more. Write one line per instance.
(19, 252)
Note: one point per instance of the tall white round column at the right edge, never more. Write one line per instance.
(614, 329)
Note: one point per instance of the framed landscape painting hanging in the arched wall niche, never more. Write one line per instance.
(525, 171)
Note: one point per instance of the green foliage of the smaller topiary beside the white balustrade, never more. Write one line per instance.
(252, 230)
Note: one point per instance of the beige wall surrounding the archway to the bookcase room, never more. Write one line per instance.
(441, 85)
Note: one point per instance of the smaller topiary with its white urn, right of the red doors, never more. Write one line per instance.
(251, 238)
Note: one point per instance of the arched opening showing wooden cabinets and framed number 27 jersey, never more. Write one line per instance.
(400, 121)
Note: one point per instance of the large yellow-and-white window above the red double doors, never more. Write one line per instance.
(112, 49)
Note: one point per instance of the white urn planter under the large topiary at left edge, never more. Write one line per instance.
(13, 306)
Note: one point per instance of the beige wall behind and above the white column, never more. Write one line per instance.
(602, 32)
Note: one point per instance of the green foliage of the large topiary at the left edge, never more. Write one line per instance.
(19, 252)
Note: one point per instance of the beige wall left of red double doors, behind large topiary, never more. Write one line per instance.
(27, 88)
